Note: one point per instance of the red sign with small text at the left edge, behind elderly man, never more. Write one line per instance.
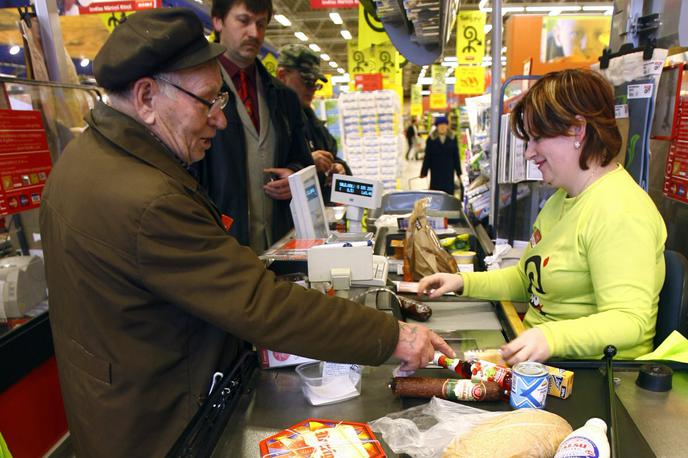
(24, 160)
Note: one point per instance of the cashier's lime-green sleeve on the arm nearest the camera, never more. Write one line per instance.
(625, 288)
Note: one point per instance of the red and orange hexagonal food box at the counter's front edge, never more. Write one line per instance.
(323, 438)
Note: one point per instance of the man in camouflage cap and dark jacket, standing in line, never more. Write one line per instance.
(299, 69)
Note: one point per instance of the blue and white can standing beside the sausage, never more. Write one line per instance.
(529, 385)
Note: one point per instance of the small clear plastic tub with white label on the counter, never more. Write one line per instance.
(328, 383)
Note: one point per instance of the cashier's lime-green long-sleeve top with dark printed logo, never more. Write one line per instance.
(592, 271)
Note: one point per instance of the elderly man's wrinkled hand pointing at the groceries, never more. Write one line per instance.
(417, 345)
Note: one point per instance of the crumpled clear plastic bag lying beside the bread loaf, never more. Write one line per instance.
(425, 431)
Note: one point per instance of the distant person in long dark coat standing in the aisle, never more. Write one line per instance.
(442, 158)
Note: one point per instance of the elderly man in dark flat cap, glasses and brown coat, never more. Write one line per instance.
(149, 295)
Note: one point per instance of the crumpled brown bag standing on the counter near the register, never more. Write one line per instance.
(423, 254)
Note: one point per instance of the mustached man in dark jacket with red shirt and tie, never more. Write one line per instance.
(246, 170)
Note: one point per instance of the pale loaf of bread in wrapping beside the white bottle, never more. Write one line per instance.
(524, 433)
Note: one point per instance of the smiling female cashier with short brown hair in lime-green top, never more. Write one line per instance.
(594, 267)
